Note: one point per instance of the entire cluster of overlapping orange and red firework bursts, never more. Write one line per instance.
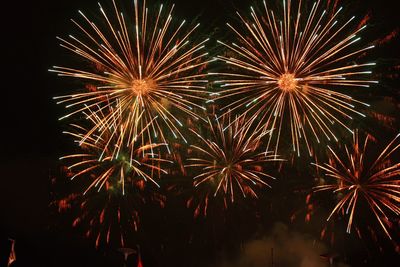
(150, 127)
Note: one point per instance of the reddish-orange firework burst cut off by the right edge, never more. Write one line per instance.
(357, 178)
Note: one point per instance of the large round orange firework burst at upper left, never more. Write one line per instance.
(143, 73)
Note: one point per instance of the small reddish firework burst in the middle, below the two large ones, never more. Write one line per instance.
(230, 158)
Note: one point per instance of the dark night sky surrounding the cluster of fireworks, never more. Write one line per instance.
(32, 142)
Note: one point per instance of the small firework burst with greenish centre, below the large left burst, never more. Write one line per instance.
(105, 159)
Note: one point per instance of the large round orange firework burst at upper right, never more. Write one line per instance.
(288, 71)
